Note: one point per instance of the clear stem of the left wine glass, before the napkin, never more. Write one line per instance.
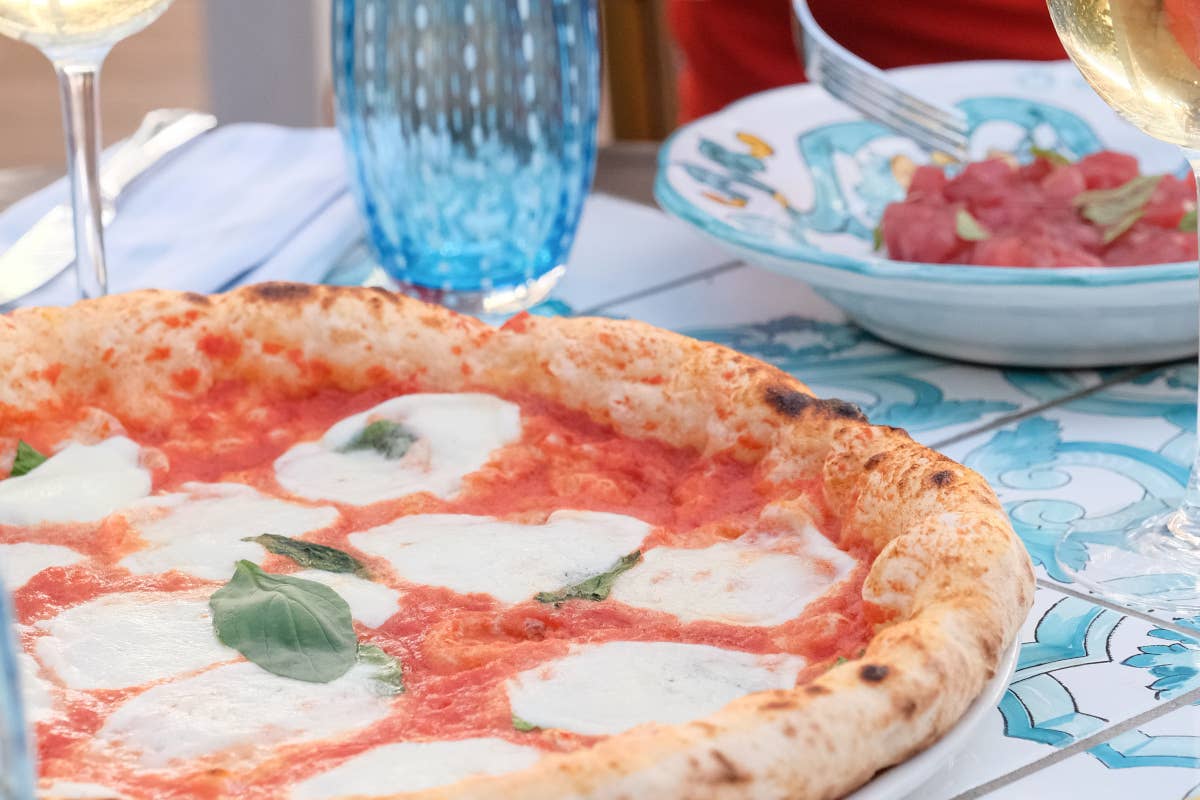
(81, 119)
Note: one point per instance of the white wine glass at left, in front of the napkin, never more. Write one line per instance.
(76, 35)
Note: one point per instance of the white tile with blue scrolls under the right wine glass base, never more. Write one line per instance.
(1097, 465)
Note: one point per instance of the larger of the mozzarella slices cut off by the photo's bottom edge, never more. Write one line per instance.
(416, 766)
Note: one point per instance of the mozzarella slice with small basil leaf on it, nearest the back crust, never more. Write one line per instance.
(457, 436)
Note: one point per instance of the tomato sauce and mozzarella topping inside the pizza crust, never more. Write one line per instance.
(308, 597)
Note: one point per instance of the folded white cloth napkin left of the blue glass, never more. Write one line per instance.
(243, 203)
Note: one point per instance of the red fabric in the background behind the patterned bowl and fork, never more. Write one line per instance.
(733, 49)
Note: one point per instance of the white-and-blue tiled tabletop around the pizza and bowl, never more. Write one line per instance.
(1106, 702)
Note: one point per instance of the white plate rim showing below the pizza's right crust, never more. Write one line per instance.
(904, 780)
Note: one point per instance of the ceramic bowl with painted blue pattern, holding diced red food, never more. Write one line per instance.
(796, 183)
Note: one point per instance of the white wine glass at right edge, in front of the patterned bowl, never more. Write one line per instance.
(1143, 57)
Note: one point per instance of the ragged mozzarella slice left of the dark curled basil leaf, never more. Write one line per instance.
(200, 533)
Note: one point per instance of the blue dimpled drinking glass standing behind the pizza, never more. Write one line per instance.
(470, 128)
